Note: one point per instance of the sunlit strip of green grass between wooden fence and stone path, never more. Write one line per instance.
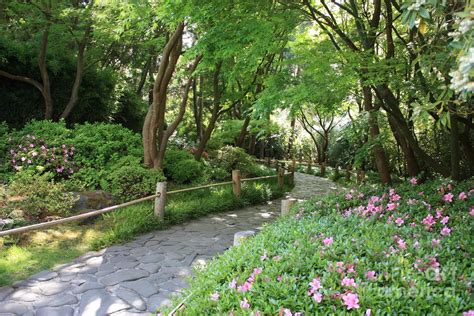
(33, 252)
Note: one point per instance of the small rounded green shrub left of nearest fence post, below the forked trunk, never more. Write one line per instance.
(130, 182)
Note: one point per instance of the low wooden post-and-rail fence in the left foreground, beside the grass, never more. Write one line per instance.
(159, 197)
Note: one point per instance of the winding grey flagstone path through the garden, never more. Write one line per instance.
(138, 277)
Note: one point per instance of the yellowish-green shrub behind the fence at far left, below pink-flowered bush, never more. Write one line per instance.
(38, 197)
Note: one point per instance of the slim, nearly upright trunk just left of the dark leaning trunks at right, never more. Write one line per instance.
(377, 150)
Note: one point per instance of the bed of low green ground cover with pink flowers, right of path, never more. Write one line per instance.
(371, 251)
